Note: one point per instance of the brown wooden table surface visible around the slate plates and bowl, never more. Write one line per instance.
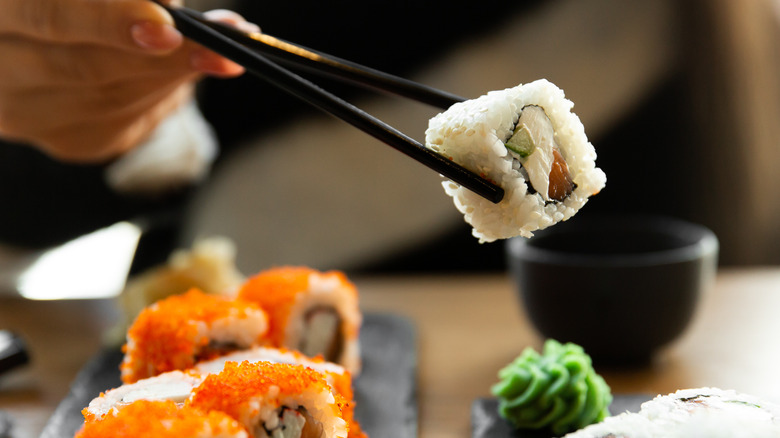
(468, 327)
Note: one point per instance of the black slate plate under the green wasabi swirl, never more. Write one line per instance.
(486, 423)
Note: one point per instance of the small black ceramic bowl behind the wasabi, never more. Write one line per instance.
(621, 287)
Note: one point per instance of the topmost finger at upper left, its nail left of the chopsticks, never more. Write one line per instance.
(128, 24)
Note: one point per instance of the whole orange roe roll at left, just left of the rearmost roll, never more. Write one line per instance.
(177, 332)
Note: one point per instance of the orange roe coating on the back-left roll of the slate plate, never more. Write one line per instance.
(165, 336)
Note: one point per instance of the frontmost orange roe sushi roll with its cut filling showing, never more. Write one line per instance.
(274, 400)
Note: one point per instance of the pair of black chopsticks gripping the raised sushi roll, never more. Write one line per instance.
(246, 51)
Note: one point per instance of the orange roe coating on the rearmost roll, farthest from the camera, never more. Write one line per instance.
(277, 289)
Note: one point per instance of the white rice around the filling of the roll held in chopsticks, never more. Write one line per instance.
(472, 133)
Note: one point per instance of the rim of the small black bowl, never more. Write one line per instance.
(703, 243)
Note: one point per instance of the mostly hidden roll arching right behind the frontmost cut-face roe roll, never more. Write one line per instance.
(339, 379)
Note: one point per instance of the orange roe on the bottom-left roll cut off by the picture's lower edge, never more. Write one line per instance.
(161, 419)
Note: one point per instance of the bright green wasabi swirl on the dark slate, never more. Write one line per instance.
(558, 390)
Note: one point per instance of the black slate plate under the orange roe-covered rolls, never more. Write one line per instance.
(385, 391)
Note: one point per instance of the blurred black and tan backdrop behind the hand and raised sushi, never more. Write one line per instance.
(680, 99)
